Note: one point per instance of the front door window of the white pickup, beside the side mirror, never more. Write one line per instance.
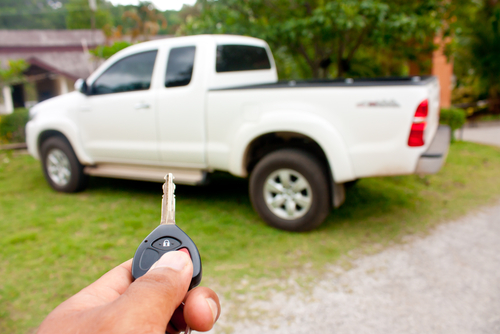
(126, 75)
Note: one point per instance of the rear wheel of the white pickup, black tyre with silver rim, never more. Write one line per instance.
(289, 190)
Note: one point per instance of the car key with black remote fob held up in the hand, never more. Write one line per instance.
(165, 238)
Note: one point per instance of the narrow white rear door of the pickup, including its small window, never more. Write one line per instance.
(181, 103)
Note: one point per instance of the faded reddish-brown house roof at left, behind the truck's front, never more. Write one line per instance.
(58, 51)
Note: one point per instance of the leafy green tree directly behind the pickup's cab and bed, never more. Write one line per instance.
(316, 34)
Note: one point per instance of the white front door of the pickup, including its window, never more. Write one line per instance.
(117, 120)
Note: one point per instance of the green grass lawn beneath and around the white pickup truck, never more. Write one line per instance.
(53, 244)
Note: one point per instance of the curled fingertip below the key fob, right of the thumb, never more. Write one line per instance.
(201, 309)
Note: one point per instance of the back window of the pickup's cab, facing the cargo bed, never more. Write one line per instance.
(241, 58)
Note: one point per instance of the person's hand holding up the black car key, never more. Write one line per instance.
(113, 304)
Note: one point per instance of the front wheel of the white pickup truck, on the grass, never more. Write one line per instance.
(61, 167)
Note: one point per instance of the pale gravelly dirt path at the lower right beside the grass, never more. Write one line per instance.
(447, 282)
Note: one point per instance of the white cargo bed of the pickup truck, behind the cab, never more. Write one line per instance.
(365, 122)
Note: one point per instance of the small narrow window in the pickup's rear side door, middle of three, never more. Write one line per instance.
(180, 66)
